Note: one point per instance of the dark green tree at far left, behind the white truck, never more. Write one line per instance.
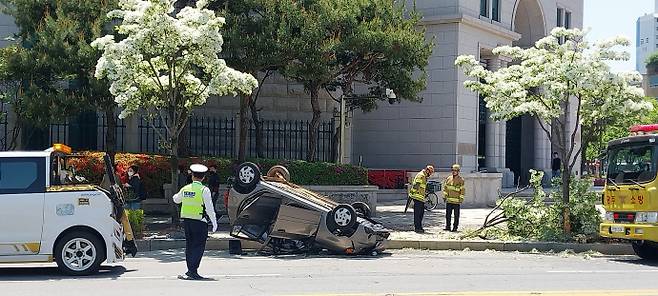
(55, 64)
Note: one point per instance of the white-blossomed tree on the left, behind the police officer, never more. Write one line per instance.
(167, 64)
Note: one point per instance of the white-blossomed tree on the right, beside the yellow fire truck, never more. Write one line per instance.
(552, 80)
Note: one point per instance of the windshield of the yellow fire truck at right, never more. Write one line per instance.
(632, 163)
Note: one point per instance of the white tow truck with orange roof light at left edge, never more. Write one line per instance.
(48, 214)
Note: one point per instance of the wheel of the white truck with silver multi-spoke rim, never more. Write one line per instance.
(79, 253)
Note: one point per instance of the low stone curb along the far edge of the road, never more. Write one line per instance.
(605, 249)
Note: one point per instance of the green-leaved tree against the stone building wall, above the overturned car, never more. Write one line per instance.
(337, 44)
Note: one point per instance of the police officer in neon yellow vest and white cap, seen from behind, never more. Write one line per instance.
(196, 211)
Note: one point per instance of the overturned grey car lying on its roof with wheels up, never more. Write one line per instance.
(286, 217)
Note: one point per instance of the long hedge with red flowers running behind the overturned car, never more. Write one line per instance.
(154, 170)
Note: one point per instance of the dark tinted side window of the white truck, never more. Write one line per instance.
(22, 175)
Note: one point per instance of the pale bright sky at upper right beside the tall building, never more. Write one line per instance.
(610, 18)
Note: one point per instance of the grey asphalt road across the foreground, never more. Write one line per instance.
(405, 272)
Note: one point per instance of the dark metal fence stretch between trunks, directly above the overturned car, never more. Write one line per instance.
(289, 140)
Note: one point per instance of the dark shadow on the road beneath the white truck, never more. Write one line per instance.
(23, 273)
